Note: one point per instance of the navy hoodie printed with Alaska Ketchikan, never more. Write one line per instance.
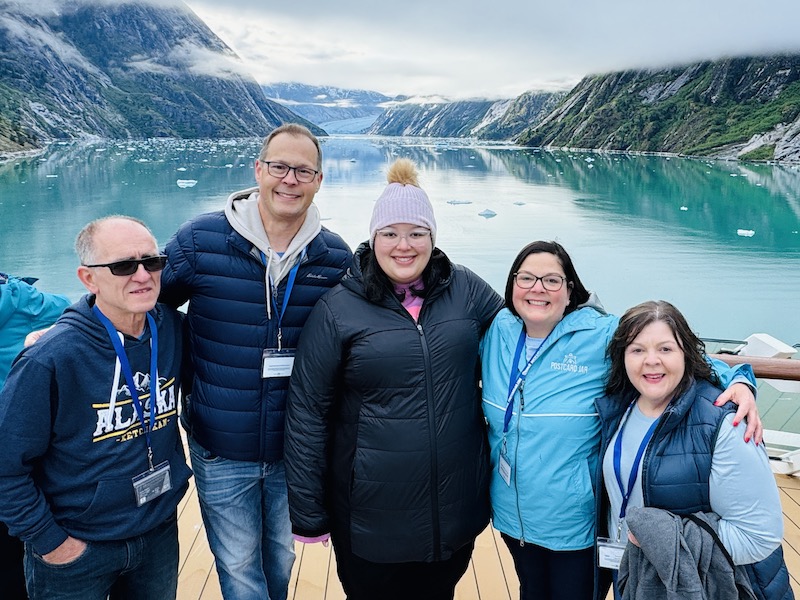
(68, 461)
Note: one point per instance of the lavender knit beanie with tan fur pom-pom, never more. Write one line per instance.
(403, 201)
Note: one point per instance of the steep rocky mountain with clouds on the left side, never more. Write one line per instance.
(126, 70)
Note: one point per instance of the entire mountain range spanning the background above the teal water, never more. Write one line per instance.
(83, 68)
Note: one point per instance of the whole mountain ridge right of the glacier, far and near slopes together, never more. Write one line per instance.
(737, 108)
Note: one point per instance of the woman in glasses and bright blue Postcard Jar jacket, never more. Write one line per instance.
(543, 364)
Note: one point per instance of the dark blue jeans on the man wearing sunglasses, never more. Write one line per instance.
(141, 568)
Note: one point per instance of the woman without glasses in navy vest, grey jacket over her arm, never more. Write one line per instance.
(665, 445)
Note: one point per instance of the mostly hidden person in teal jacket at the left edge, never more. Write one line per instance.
(23, 309)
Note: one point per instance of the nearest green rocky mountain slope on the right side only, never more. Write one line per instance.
(737, 108)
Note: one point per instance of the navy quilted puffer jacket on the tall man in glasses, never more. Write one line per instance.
(232, 412)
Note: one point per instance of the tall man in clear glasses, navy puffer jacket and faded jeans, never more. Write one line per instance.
(251, 274)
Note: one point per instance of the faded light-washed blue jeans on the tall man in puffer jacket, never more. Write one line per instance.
(245, 508)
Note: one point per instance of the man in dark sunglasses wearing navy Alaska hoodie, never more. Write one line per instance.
(93, 466)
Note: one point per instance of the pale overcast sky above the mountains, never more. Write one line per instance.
(494, 49)
